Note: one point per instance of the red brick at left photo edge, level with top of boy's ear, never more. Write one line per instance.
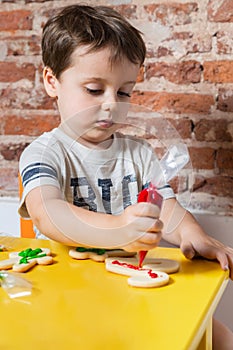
(11, 72)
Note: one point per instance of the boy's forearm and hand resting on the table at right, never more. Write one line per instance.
(181, 228)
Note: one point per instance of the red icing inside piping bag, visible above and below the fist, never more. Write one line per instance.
(151, 195)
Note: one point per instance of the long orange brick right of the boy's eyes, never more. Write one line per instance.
(174, 102)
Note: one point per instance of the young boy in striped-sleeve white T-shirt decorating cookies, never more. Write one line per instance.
(81, 180)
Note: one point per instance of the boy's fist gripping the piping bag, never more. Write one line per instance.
(142, 220)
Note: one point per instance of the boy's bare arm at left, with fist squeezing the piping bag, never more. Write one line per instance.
(72, 225)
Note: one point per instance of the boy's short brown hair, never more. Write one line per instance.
(97, 27)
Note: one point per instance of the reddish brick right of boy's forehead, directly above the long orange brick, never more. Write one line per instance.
(179, 73)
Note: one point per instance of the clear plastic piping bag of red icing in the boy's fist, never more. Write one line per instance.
(171, 163)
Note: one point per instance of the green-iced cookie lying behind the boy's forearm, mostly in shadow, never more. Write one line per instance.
(97, 254)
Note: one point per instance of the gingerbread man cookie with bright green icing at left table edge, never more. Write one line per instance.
(26, 259)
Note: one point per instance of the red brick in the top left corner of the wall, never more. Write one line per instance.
(17, 19)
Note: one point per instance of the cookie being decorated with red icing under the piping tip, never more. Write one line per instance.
(139, 276)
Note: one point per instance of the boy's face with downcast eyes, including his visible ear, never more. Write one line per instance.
(93, 95)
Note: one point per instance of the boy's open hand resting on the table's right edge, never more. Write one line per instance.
(209, 248)
